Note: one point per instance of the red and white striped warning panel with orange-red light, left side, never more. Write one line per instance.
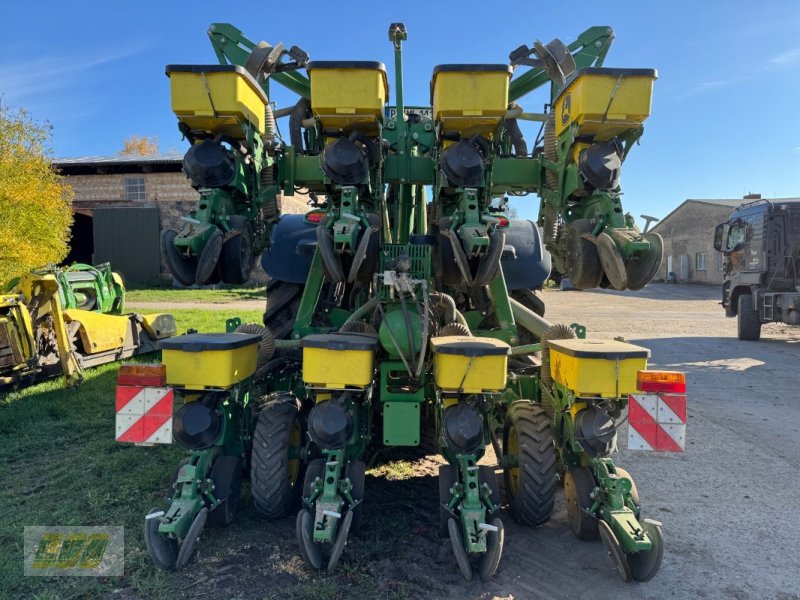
(143, 405)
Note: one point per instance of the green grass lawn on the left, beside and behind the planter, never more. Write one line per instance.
(61, 466)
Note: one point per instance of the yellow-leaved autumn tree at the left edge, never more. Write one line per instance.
(35, 203)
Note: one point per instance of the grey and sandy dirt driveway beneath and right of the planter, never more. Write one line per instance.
(728, 504)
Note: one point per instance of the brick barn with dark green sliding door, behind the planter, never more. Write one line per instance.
(121, 205)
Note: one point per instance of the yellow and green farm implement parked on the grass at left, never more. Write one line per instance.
(63, 320)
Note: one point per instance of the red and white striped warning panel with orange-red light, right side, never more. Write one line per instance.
(657, 415)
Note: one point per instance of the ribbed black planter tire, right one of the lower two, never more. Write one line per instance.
(531, 486)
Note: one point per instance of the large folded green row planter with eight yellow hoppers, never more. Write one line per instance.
(404, 300)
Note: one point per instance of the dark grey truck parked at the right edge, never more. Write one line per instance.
(761, 269)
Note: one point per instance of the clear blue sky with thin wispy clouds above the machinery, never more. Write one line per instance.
(725, 105)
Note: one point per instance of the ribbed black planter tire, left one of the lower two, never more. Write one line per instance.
(274, 492)
